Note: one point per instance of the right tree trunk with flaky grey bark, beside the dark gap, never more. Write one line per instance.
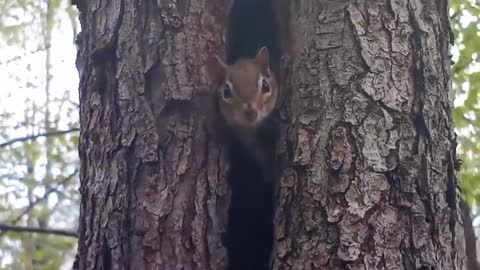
(372, 184)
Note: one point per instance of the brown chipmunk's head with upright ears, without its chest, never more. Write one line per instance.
(247, 90)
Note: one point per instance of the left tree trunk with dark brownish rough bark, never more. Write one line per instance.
(152, 185)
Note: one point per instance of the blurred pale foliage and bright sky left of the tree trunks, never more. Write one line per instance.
(38, 177)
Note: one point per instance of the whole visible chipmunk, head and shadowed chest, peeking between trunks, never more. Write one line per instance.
(247, 97)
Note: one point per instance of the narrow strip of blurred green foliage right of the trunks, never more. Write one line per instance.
(465, 24)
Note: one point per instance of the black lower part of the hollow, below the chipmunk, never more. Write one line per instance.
(249, 237)
